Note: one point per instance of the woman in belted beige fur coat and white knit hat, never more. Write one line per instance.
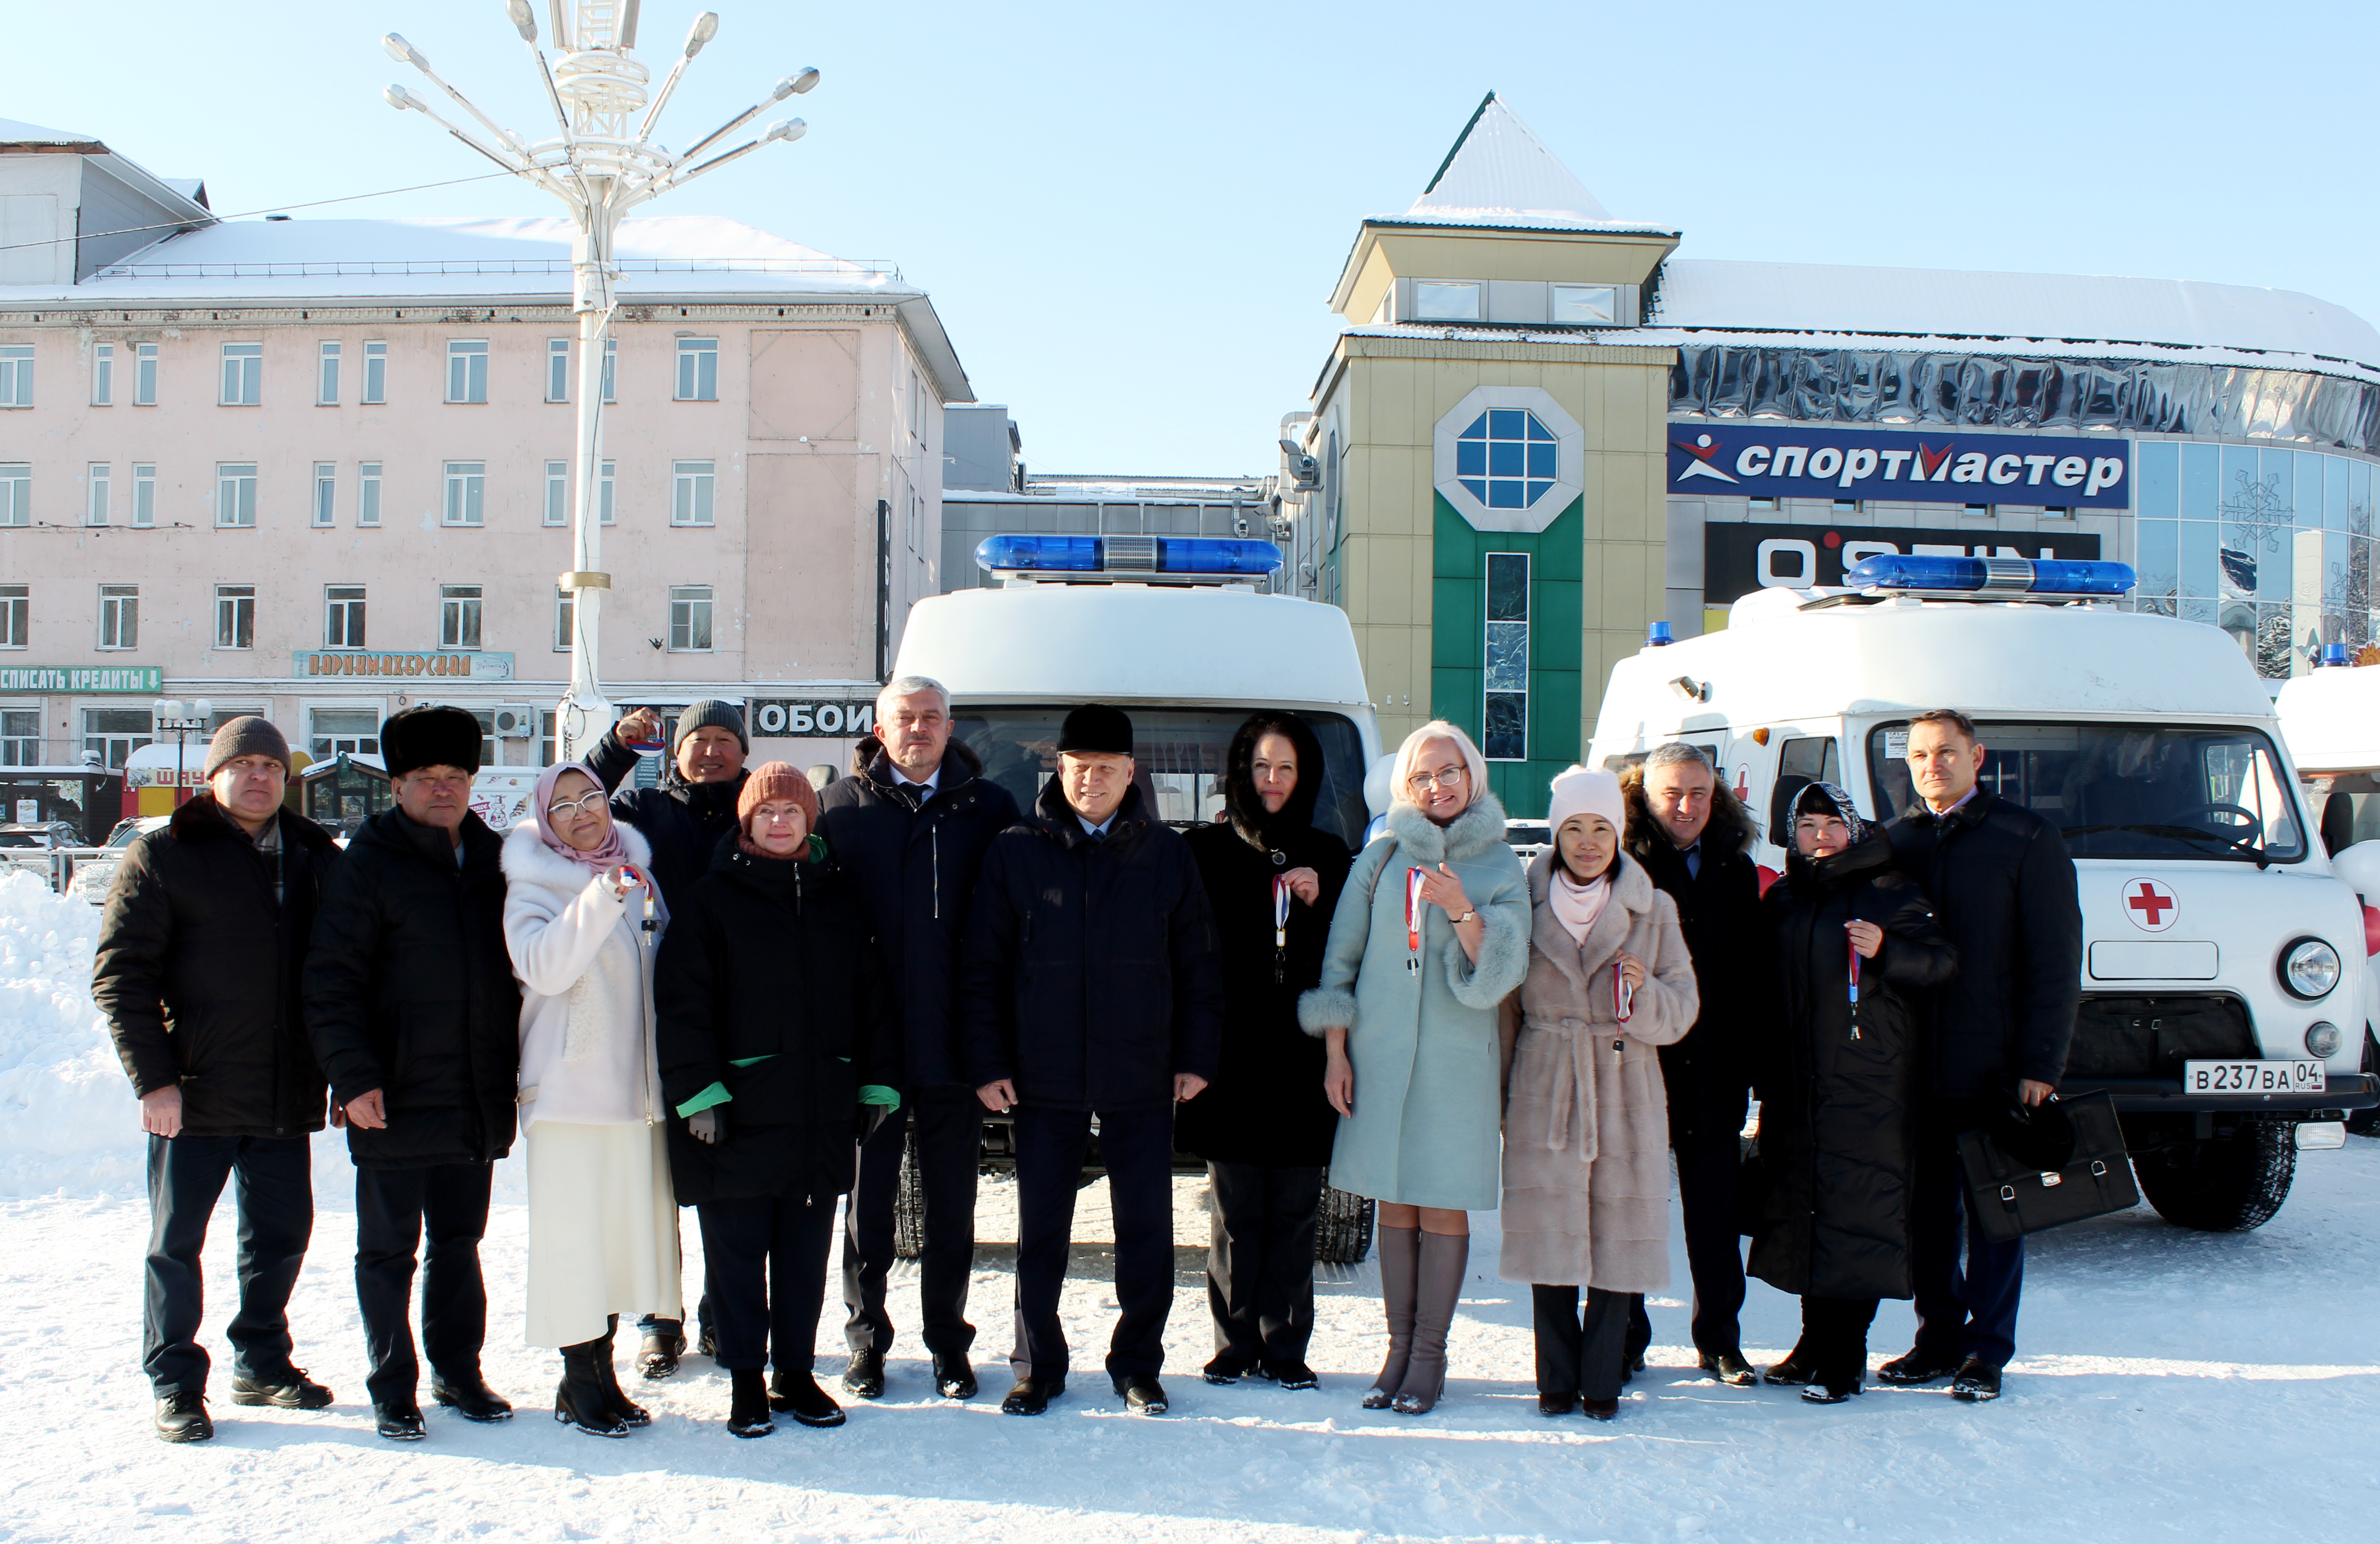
(1586, 1119)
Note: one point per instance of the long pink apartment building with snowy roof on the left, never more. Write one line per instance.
(320, 470)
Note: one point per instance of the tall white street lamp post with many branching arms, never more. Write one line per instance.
(599, 168)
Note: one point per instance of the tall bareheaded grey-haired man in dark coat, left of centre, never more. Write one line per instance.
(910, 829)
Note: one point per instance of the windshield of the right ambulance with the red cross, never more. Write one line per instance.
(2129, 791)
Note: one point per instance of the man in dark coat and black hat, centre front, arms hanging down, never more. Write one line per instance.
(1089, 988)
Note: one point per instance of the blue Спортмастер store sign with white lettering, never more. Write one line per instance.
(1941, 467)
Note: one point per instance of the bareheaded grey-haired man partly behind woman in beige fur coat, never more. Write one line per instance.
(1693, 839)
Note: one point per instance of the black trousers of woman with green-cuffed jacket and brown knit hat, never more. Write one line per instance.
(765, 1276)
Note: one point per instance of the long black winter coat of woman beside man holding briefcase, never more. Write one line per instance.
(1836, 1112)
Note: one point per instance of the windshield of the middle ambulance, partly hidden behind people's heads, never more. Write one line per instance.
(1179, 760)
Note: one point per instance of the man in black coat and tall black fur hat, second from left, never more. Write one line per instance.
(418, 1022)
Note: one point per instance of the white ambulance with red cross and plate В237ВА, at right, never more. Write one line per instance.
(2224, 972)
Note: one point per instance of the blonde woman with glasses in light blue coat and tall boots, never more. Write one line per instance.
(1429, 939)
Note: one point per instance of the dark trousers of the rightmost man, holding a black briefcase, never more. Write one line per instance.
(1962, 1310)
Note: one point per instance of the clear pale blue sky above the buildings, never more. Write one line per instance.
(1129, 218)
